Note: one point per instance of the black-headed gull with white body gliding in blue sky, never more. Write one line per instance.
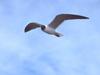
(50, 28)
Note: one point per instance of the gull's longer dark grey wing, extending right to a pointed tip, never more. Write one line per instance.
(60, 18)
